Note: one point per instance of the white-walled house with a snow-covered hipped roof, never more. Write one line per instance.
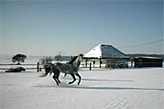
(106, 56)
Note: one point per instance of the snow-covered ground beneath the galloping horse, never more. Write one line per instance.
(100, 89)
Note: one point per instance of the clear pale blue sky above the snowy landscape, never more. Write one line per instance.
(48, 27)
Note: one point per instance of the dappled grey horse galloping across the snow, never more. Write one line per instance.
(71, 68)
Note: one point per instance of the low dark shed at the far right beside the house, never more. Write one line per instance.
(147, 62)
